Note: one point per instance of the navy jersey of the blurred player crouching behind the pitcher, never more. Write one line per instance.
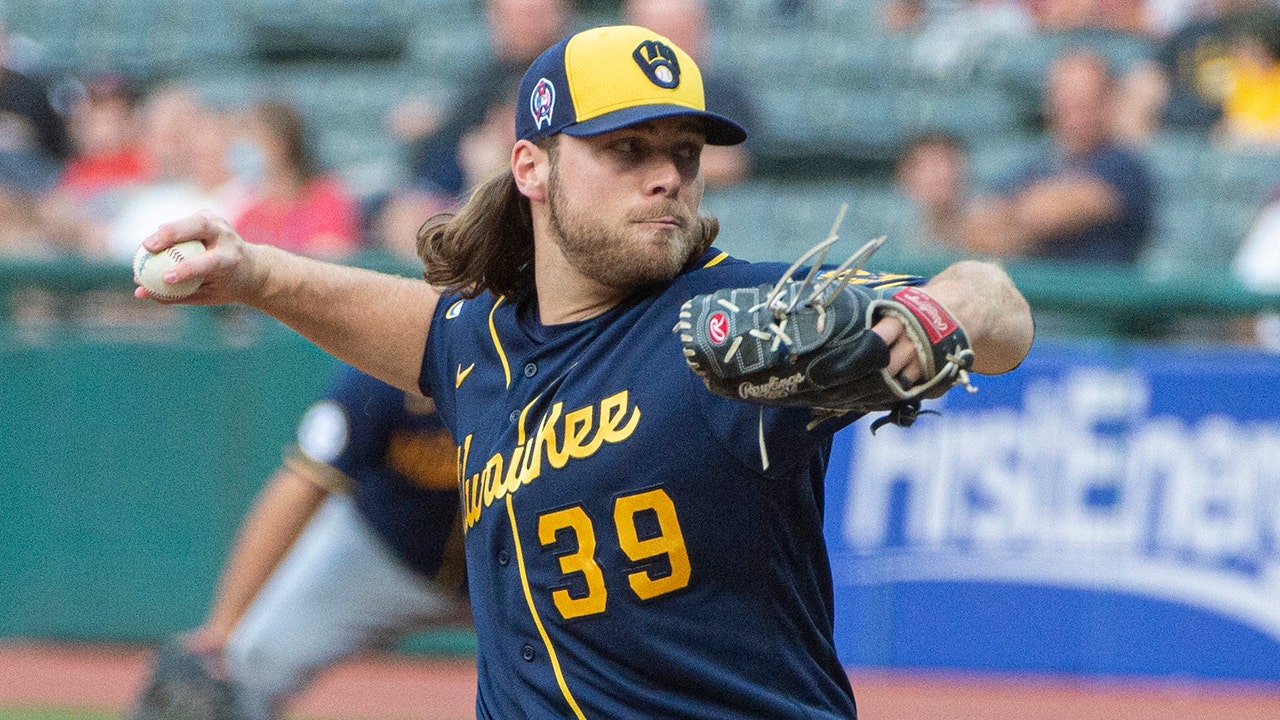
(394, 454)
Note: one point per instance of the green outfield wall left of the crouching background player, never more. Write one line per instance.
(127, 468)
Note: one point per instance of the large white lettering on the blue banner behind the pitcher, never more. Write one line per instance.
(1081, 486)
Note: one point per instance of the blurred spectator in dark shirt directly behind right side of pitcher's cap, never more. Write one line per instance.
(687, 24)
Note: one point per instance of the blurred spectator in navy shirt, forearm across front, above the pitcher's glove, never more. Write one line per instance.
(1091, 200)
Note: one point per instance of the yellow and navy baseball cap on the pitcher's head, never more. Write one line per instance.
(611, 78)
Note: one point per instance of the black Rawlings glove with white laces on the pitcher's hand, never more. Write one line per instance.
(808, 344)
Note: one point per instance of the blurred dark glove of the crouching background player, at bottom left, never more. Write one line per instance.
(184, 687)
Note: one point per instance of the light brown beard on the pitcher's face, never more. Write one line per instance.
(627, 258)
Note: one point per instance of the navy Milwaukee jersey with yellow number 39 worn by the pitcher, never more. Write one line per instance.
(628, 553)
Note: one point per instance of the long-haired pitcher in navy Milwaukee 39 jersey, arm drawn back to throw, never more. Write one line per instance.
(628, 555)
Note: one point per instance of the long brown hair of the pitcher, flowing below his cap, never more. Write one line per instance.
(488, 245)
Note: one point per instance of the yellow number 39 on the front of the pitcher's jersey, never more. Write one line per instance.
(650, 581)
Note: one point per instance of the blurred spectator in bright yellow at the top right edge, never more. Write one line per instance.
(1251, 106)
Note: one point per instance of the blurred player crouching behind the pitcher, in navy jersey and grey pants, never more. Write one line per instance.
(354, 543)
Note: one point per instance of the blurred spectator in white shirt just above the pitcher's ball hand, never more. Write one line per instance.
(188, 145)
